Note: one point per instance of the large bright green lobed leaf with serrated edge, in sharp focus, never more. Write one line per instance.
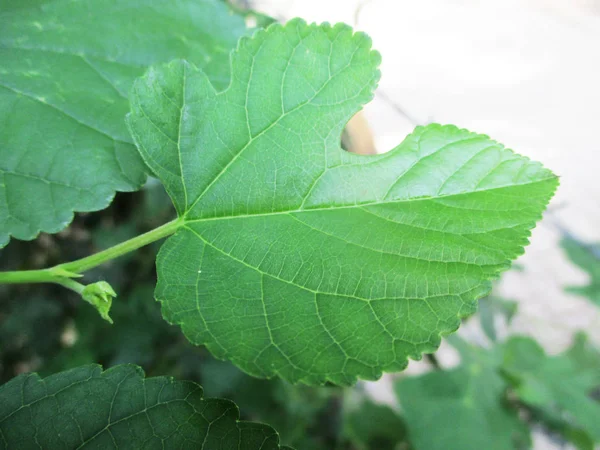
(299, 259)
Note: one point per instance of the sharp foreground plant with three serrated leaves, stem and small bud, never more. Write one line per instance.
(289, 256)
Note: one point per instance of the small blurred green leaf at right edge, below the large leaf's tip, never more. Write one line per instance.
(587, 257)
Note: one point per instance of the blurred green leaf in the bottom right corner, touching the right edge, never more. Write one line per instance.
(560, 384)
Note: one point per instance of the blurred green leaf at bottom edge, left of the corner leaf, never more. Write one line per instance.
(461, 409)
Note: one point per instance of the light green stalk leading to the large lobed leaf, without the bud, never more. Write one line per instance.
(62, 273)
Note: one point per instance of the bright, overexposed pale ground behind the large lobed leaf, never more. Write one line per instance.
(525, 72)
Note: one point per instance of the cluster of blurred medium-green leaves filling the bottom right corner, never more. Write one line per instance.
(486, 392)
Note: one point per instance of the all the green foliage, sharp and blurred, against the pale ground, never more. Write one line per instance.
(290, 257)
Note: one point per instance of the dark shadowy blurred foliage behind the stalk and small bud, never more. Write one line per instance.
(54, 332)
